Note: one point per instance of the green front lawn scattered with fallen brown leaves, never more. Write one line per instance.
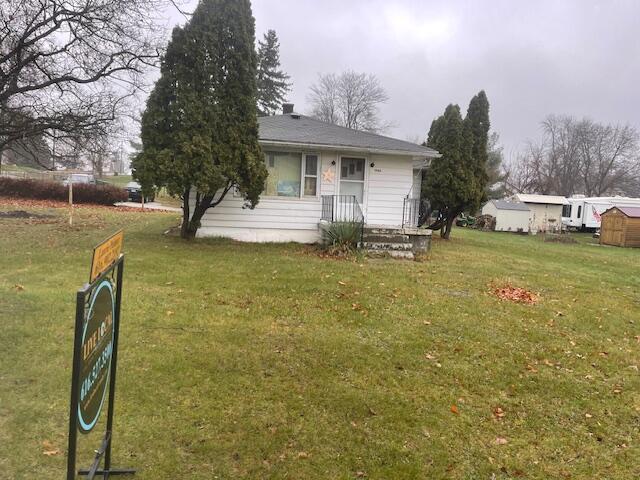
(267, 361)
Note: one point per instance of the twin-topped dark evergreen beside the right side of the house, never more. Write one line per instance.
(456, 181)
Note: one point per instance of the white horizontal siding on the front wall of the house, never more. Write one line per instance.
(277, 219)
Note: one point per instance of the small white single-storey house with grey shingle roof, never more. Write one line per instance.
(319, 172)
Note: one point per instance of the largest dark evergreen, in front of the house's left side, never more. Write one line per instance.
(200, 129)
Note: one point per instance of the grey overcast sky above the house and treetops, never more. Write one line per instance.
(531, 57)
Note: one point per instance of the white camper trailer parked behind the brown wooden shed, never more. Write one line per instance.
(583, 213)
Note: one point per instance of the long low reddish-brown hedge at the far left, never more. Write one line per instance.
(43, 190)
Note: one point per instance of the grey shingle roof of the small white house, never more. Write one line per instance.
(300, 129)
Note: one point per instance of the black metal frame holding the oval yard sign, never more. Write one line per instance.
(105, 448)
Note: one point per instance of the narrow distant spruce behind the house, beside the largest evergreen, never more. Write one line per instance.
(273, 84)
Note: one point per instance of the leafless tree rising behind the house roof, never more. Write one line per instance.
(350, 99)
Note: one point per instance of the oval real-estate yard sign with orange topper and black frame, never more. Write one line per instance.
(95, 355)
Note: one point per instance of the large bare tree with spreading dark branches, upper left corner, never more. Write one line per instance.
(68, 67)
